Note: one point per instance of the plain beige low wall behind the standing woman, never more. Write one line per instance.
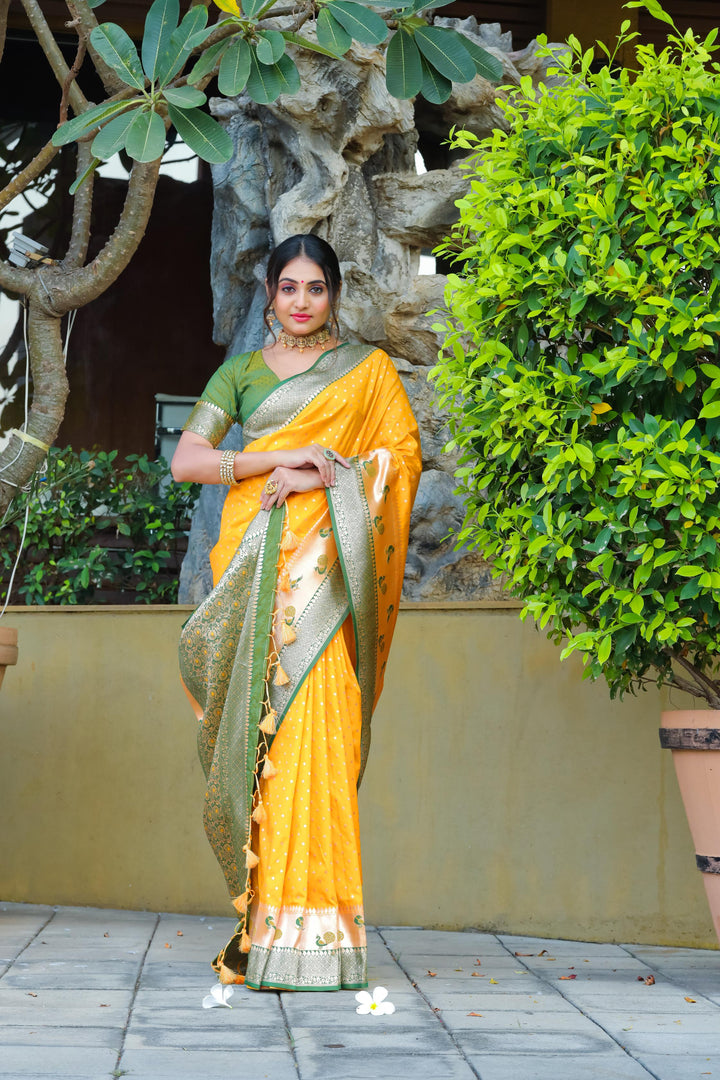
(502, 791)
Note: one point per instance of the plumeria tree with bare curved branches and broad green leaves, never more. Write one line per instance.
(250, 48)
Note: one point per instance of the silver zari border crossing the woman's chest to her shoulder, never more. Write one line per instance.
(291, 398)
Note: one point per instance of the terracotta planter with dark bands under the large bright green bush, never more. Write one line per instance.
(695, 738)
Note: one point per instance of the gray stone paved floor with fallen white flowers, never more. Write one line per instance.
(89, 995)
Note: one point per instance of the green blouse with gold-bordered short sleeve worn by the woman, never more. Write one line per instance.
(232, 396)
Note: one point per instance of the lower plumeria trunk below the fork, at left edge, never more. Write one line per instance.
(50, 394)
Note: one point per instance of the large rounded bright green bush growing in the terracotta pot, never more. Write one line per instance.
(581, 367)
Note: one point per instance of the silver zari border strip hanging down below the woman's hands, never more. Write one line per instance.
(354, 533)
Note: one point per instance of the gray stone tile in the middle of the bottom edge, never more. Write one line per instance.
(343, 1063)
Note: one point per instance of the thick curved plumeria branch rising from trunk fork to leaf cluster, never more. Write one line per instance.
(75, 289)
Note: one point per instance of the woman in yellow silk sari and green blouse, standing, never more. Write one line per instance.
(284, 661)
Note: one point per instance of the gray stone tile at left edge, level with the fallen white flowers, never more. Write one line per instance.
(58, 1008)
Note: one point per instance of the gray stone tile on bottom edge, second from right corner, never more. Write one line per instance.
(610, 1066)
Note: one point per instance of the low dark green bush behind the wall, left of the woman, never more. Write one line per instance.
(98, 532)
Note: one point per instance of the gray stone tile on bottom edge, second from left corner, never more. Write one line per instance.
(206, 1064)
